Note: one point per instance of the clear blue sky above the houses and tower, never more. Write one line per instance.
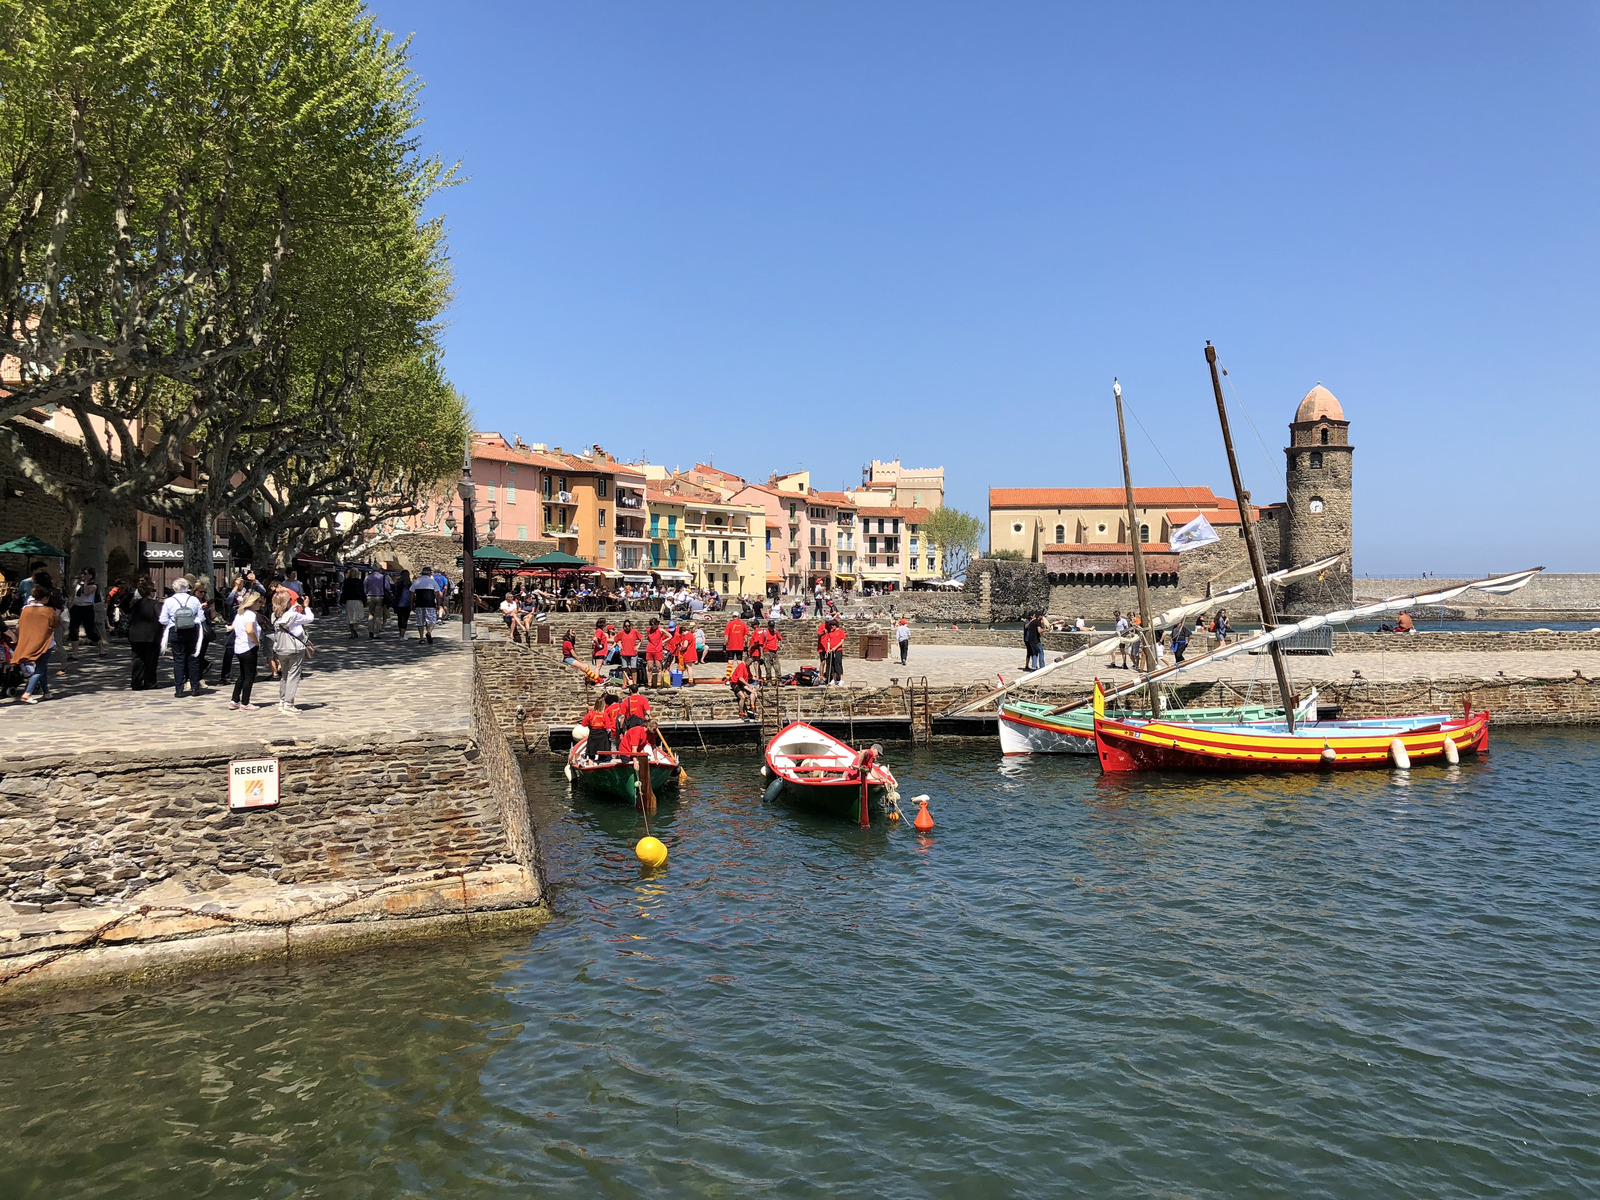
(783, 236)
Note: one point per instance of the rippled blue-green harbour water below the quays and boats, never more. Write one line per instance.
(1362, 986)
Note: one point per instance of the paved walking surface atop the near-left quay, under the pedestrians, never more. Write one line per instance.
(354, 689)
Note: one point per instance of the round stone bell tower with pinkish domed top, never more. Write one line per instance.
(1319, 508)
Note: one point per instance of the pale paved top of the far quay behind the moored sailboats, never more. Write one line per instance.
(970, 665)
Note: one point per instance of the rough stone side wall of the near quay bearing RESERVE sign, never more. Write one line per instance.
(118, 865)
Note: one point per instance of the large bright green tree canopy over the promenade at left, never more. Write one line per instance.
(214, 239)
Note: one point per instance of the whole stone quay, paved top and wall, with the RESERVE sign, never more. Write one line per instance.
(402, 817)
